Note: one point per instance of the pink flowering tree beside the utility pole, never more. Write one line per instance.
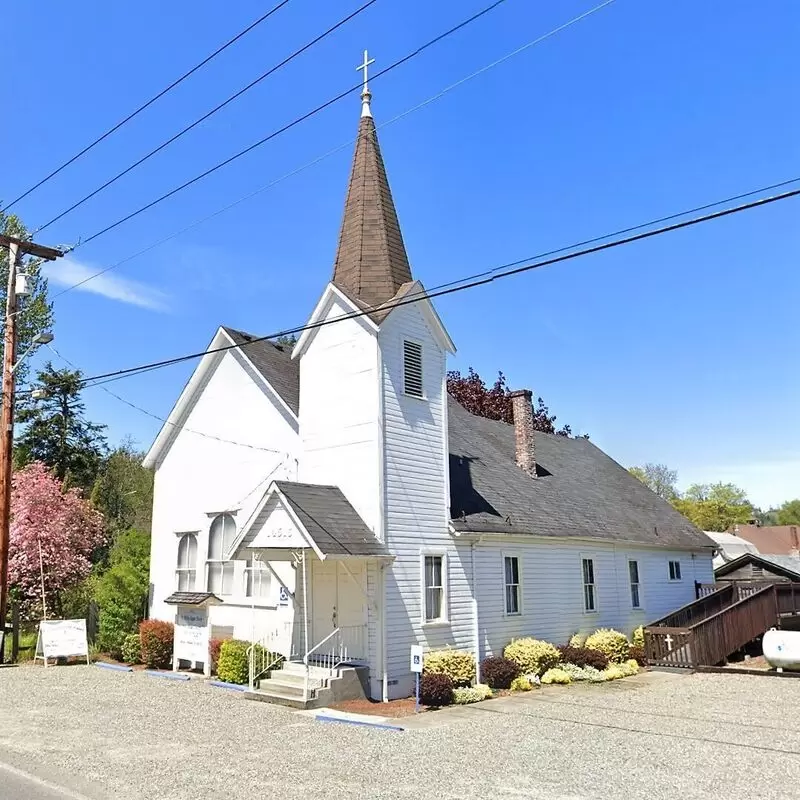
(67, 527)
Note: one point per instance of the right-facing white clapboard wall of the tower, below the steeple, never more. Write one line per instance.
(415, 498)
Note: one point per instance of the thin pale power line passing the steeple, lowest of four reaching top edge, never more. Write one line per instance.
(341, 147)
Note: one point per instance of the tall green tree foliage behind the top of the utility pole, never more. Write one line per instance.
(36, 312)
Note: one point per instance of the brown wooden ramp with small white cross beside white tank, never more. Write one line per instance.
(725, 619)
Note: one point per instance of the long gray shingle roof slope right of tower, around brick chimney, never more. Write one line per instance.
(579, 491)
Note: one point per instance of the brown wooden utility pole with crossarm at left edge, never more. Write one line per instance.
(15, 247)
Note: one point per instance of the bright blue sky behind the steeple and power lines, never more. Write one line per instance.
(682, 349)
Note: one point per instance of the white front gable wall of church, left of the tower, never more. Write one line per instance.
(201, 475)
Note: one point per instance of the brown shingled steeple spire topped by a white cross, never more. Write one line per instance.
(371, 261)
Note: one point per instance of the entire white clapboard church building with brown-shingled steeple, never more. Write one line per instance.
(338, 504)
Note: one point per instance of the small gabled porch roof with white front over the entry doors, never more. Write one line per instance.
(321, 517)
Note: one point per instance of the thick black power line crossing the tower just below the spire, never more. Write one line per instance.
(508, 270)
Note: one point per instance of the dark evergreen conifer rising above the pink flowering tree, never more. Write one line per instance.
(57, 432)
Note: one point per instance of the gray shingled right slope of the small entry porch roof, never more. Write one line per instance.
(330, 520)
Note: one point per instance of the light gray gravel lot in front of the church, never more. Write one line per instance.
(654, 736)
